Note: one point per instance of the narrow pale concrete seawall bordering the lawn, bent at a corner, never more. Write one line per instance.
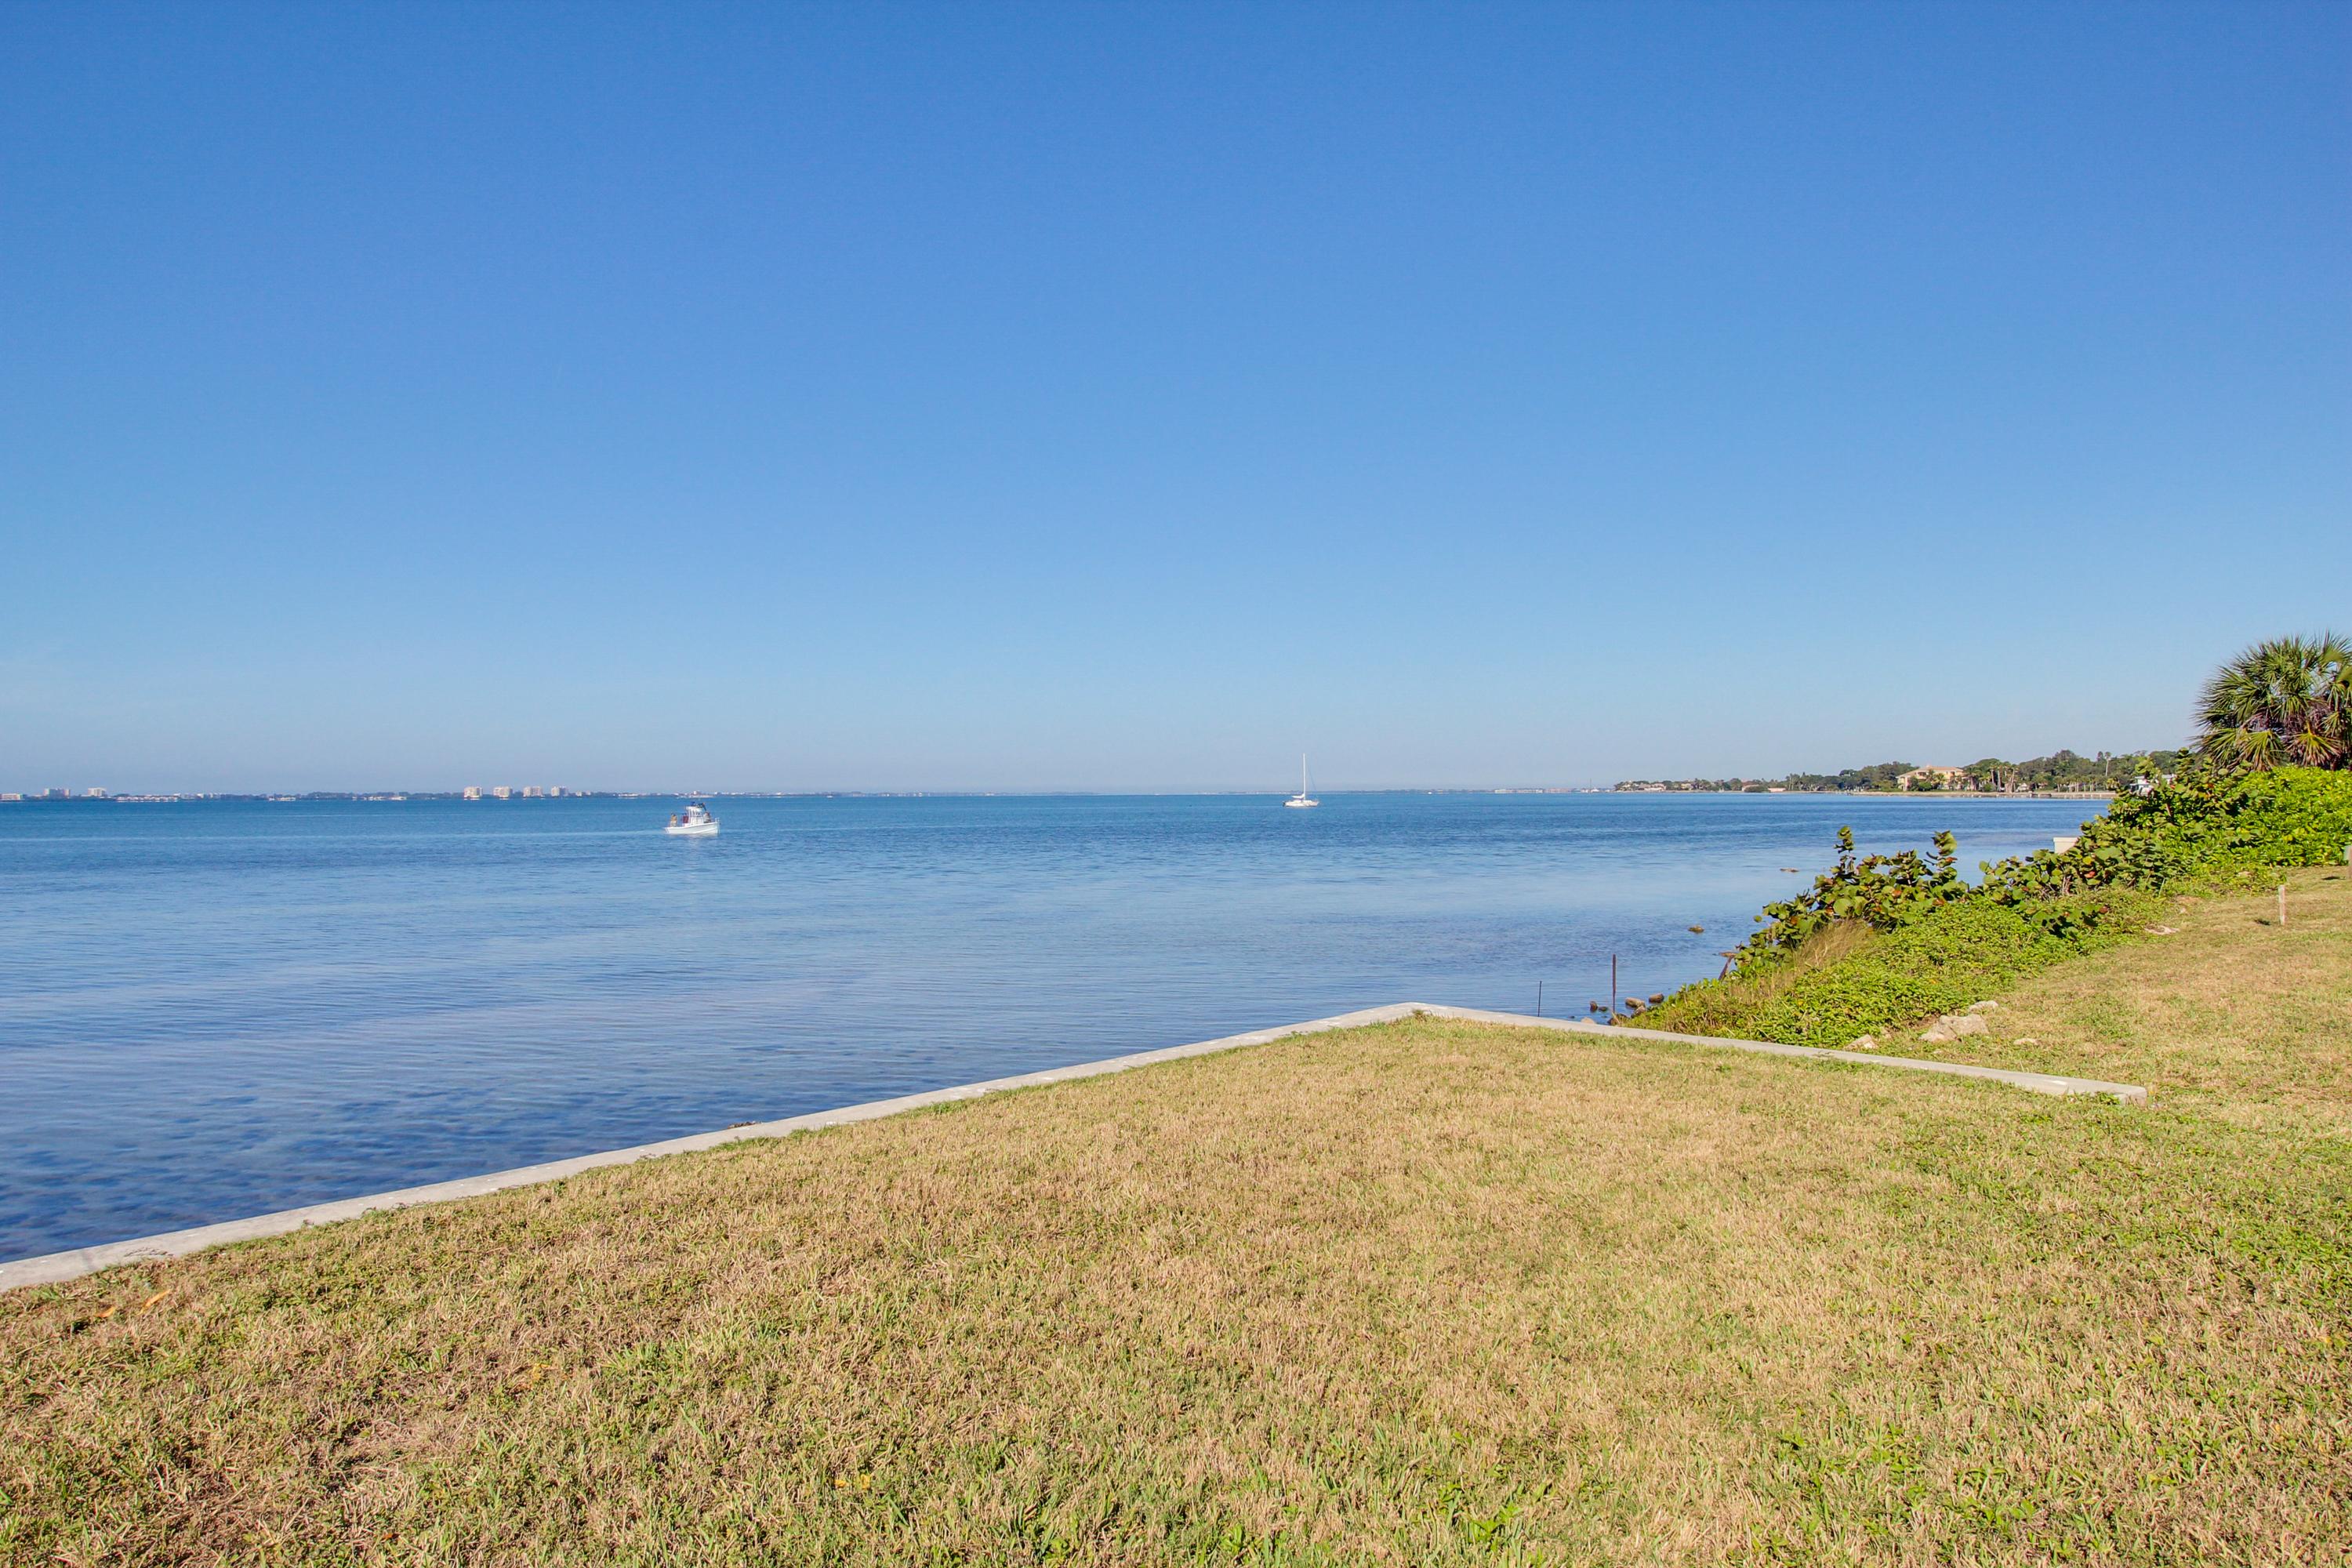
(53, 1268)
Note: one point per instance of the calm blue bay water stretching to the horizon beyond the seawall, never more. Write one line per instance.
(227, 1007)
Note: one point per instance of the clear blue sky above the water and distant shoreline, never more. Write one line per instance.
(1093, 396)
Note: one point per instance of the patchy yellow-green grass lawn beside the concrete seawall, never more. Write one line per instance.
(1412, 1294)
